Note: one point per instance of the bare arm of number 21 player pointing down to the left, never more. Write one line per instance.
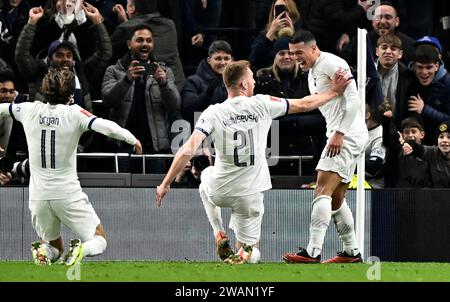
(184, 154)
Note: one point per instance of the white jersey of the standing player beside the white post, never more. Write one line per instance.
(319, 81)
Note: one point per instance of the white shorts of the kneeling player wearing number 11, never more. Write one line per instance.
(78, 215)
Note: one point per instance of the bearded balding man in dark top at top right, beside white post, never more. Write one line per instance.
(385, 21)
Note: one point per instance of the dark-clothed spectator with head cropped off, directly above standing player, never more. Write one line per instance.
(333, 22)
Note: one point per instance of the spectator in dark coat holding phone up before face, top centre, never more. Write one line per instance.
(284, 20)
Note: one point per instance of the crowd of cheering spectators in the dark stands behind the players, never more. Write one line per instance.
(152, 66)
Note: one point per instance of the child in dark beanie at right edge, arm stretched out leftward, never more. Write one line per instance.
(438, 157)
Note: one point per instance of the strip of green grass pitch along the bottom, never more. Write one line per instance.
(153, 271)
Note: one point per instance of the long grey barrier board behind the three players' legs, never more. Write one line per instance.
(179, 230)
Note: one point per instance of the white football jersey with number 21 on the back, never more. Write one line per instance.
(239, 128)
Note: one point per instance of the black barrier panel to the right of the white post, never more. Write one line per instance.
(411, 225)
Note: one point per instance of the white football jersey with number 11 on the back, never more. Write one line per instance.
(53, 132)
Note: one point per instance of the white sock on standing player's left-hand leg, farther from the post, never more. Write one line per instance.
(320, 219)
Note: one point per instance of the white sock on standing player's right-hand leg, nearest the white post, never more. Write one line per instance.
(345, 225)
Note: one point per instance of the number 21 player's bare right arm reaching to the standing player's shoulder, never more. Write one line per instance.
(341, 79)
